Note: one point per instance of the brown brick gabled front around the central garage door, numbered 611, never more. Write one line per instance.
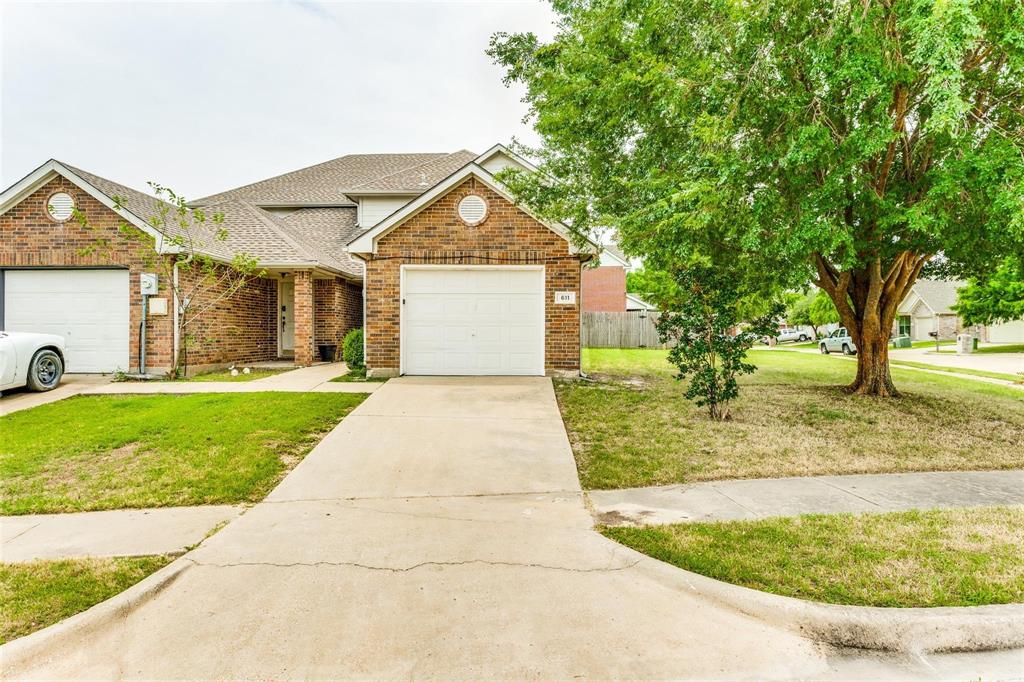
(507, 237)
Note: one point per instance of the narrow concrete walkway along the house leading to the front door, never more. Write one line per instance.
(313, 379)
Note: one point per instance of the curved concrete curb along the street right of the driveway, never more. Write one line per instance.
(914, 631)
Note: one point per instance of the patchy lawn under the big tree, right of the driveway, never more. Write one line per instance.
(632, 428)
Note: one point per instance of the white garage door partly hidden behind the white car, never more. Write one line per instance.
(90, 309)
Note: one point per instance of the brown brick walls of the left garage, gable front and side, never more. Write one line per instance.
(241, 329)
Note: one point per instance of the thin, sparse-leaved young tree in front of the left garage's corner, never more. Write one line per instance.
(197, 281)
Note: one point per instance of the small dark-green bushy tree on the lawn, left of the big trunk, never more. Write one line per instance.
(706, 351)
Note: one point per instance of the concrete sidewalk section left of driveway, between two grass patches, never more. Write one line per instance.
(120, 533)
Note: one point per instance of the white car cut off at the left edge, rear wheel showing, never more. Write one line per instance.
(30, 360)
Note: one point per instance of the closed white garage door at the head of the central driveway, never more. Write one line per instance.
(485, 321)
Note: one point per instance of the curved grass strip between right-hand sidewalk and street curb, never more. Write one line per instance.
(960, 558)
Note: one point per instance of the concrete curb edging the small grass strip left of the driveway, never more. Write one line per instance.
(47, 643)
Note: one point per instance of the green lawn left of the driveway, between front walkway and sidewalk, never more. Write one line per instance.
(114, 452)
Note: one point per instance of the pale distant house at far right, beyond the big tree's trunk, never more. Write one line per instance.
(929, 308)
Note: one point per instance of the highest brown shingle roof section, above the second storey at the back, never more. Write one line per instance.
(330, 183)
